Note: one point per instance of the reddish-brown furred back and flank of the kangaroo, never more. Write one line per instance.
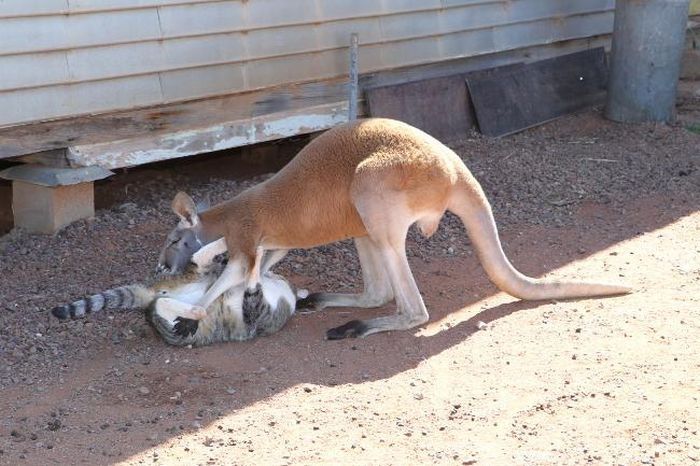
(311, 200)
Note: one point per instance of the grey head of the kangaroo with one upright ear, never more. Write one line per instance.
(184, 240)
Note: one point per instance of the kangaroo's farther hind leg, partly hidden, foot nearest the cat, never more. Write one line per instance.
(377, 287)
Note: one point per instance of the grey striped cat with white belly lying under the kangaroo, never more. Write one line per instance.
(239, 314)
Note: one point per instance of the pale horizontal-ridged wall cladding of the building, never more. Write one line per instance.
(70, 57)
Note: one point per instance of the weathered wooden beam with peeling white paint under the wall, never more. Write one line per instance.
(121, 139)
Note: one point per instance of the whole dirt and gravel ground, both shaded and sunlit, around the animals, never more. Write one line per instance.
(489, 380)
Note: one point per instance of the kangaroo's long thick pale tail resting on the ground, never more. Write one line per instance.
(469, 203)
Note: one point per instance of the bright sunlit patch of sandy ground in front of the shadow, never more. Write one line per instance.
(600, 381)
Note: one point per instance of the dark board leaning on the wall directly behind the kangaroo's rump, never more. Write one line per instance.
(438, 106)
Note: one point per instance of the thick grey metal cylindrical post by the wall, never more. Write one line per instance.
(647, 47)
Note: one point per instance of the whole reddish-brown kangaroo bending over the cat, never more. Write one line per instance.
(369, 180)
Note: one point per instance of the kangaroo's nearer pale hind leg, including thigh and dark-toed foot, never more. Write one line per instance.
(387, 229)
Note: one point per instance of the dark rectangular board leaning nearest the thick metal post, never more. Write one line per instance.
(510, 100)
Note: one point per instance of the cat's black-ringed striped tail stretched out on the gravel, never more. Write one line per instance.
(123, 297)
